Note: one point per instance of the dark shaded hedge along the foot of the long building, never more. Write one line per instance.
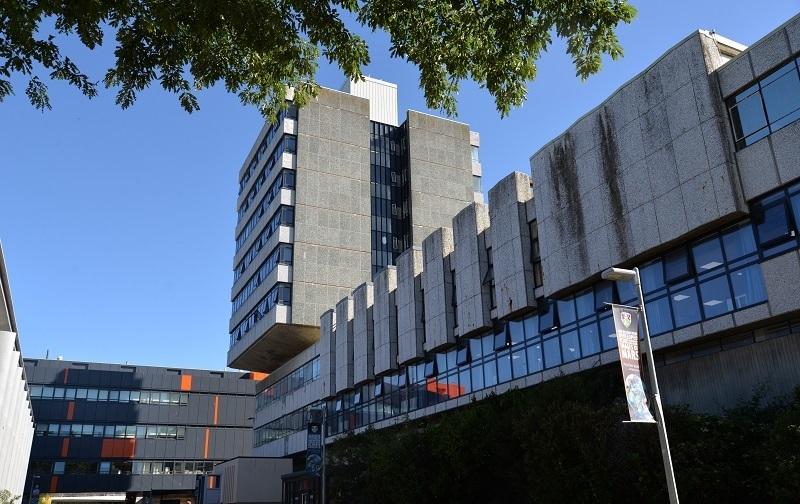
(564, 441)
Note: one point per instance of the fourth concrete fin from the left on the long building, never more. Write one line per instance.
(385, 316)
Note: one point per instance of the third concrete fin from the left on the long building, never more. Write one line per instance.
(363, 334)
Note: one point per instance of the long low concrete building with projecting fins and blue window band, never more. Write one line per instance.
(690, 171)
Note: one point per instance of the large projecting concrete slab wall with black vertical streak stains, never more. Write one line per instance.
(650, 165)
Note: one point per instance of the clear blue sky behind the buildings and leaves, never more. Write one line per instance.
(117, 226)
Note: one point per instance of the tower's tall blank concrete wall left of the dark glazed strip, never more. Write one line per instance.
(332, 211)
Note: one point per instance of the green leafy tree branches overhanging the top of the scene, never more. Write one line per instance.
(259, 48)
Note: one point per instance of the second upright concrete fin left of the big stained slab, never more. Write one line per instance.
(471, 265)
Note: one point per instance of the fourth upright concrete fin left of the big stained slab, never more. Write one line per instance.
(410, 328)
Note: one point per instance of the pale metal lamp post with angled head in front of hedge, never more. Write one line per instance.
(625, 275)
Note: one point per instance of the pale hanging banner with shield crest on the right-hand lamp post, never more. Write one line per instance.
(626, 322)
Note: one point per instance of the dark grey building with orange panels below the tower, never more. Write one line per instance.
(119, 432)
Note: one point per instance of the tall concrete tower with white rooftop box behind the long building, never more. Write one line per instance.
(329, 195)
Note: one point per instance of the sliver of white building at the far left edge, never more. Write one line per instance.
(16, 415)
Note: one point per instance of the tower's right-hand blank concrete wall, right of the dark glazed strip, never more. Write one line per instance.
(440, 172)
